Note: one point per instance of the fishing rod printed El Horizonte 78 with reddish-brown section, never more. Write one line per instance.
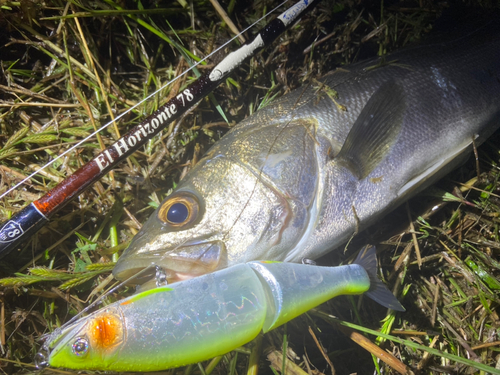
(30, 219)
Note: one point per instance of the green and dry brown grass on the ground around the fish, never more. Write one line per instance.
(70, 67)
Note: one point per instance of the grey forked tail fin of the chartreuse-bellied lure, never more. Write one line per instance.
(378, 292)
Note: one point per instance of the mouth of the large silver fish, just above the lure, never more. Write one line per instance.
(184, 262)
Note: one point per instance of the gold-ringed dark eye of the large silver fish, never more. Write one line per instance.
(179, 210)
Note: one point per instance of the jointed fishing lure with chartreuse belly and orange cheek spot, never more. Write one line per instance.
(200, 318)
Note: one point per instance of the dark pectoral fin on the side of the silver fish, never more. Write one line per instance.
(375, 130)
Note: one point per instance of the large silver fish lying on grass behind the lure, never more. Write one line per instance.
(306, 173)
